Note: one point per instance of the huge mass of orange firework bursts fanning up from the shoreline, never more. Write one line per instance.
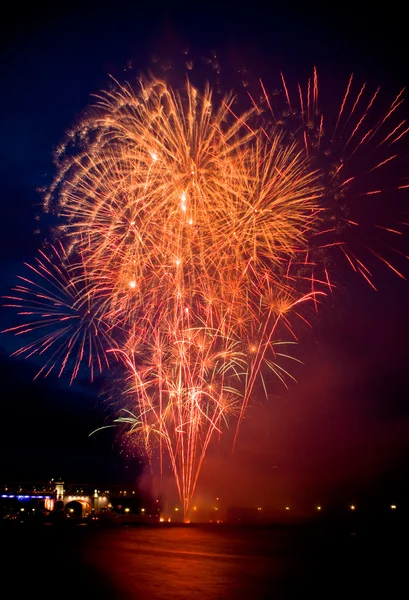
(186, 252)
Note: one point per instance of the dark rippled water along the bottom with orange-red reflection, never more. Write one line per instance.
(200, 563)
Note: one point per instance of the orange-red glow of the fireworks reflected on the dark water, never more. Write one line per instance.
(190, 563)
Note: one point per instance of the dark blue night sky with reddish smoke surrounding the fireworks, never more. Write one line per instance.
(341, 432)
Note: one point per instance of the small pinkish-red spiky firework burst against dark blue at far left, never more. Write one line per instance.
(61, 315)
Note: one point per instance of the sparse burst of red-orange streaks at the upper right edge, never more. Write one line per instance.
(361, 151)
